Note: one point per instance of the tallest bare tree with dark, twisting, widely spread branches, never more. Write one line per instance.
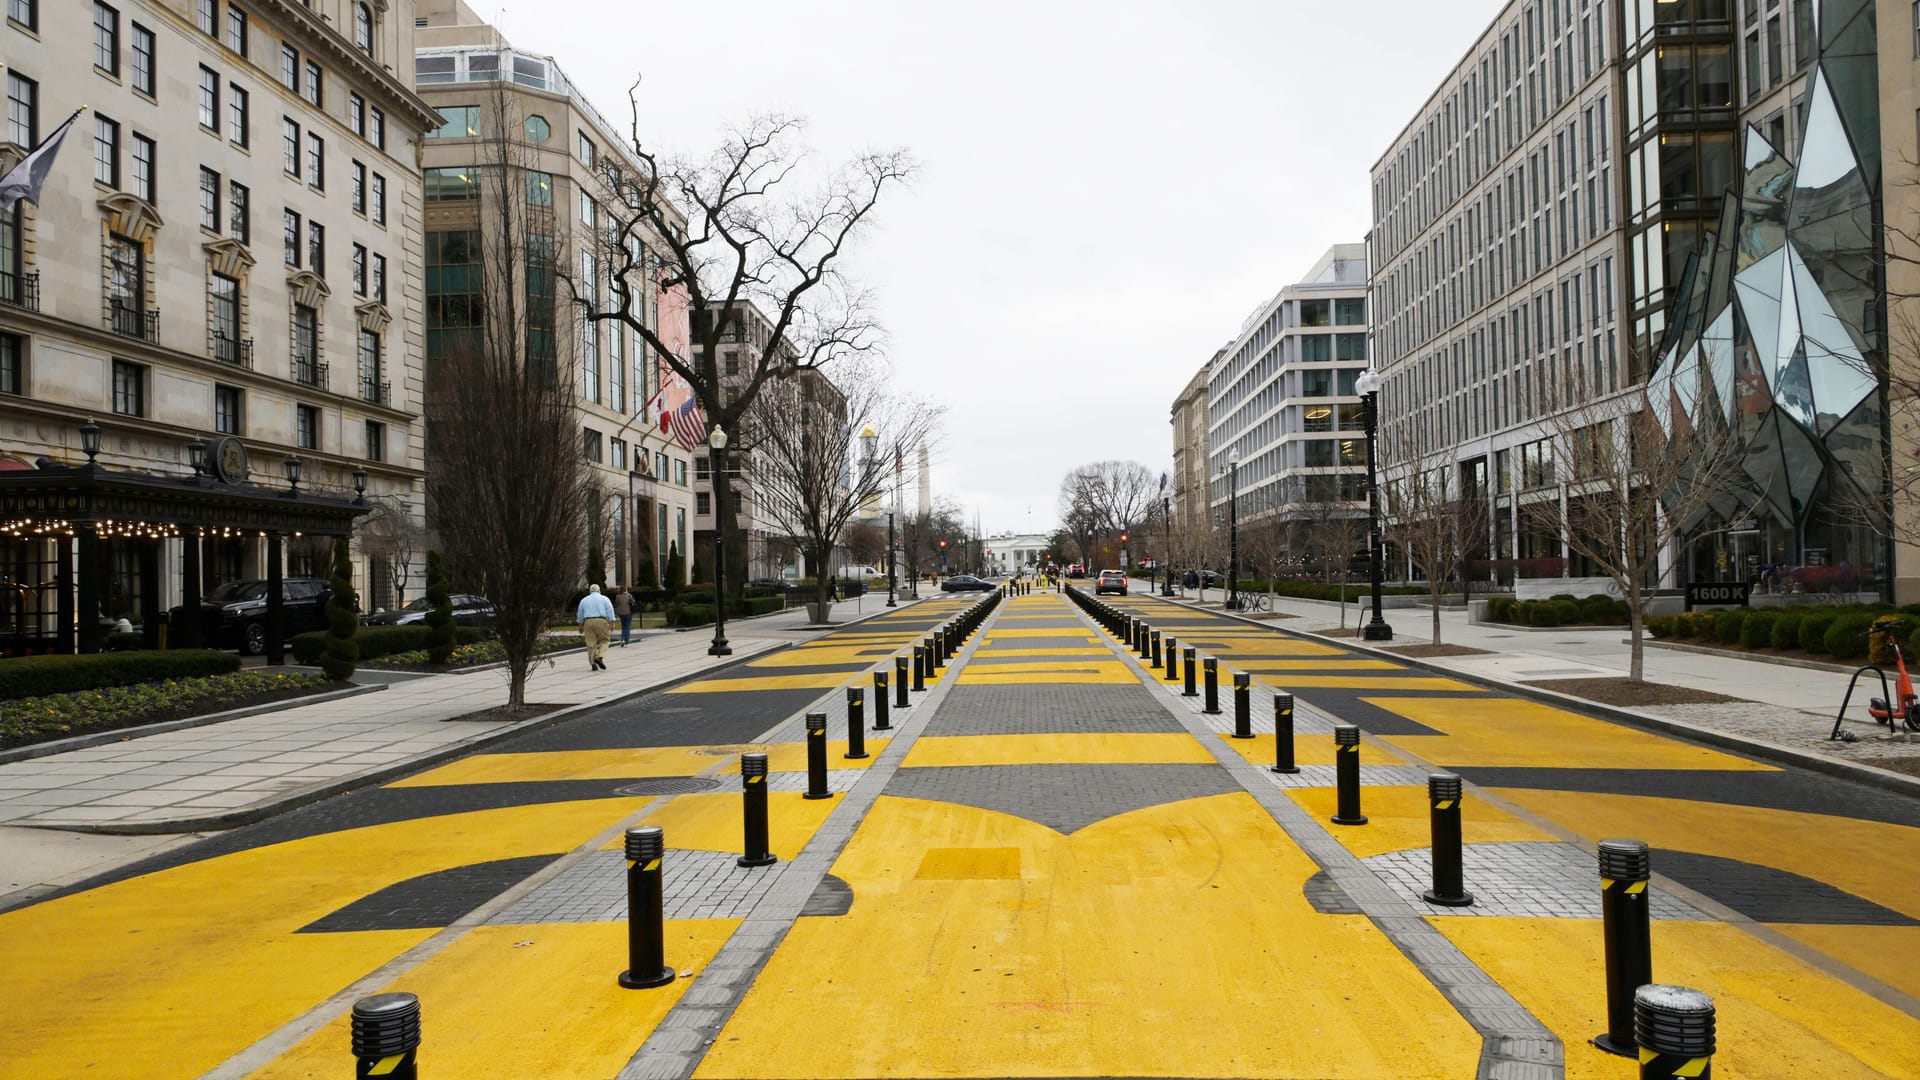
(748, 237)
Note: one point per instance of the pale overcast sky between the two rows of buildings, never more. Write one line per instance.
(1105, 189)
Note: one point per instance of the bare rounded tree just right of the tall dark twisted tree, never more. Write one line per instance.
(813, 474)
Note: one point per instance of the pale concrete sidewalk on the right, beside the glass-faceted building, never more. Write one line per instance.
(1783, 706)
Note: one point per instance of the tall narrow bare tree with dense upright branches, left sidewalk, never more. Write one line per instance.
(510, 487)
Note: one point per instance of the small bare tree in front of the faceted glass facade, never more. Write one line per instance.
(1641, 478)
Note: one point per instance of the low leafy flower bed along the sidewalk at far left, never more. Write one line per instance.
(60, 716)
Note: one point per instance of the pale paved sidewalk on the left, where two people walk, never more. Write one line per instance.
(80, 812)
